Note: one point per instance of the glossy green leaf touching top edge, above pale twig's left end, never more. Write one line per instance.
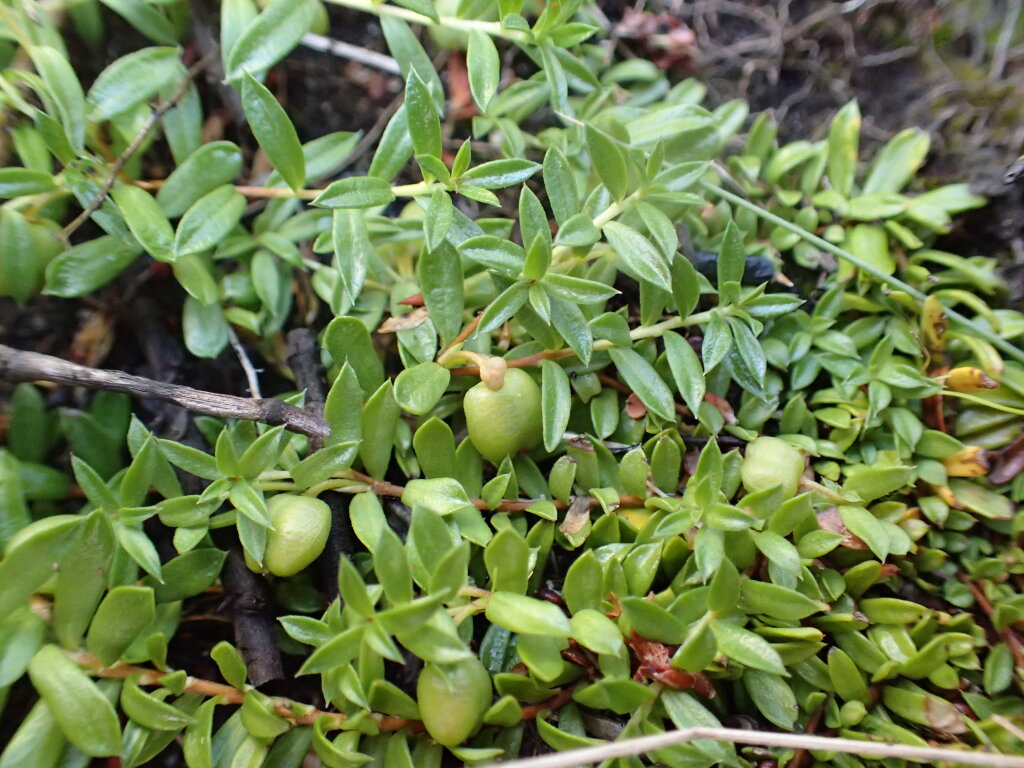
(269, 39)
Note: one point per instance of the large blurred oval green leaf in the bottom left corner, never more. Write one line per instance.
(86, 716)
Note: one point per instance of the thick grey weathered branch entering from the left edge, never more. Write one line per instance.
(17, 365)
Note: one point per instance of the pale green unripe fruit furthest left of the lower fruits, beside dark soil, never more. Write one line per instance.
(302, 525)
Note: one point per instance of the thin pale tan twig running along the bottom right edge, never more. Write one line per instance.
(763, 739)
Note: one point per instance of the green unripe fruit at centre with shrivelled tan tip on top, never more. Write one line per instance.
(505, 421)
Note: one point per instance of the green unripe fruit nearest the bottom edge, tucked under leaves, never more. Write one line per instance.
(453, 700)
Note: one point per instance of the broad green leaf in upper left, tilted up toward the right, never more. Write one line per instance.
(132, 80)
